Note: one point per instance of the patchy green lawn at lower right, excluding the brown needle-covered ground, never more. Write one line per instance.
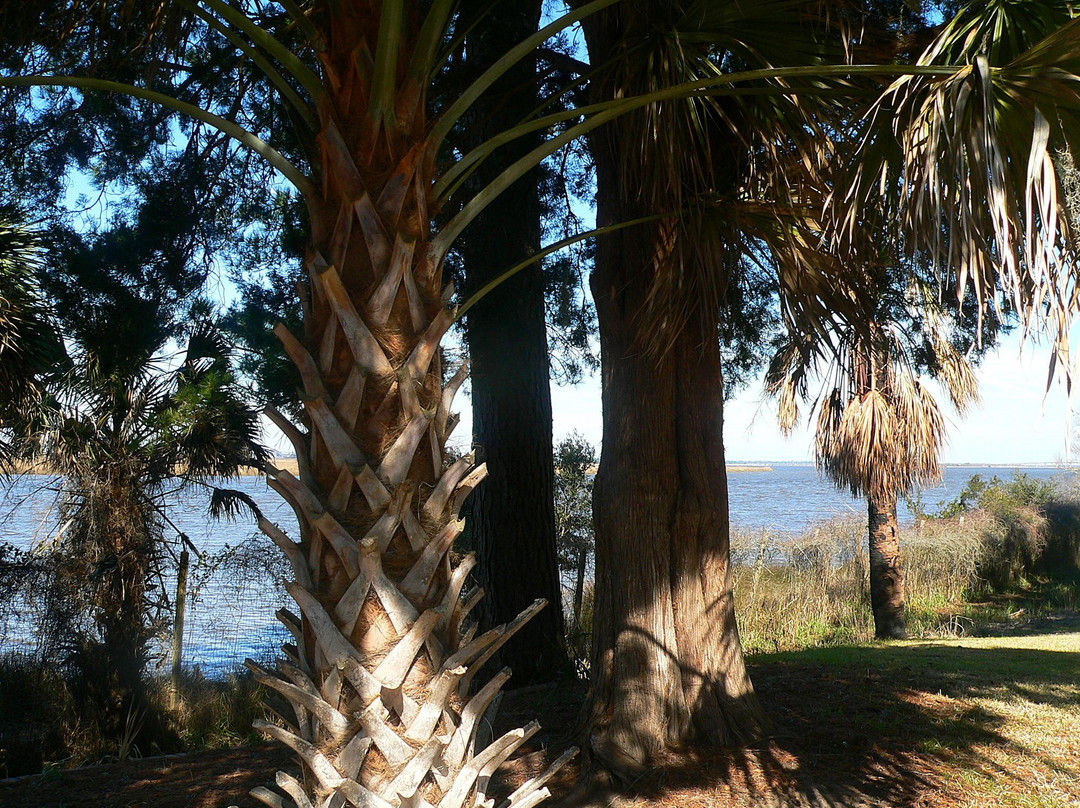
(971, 722)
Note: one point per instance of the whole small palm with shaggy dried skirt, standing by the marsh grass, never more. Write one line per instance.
(880, 430)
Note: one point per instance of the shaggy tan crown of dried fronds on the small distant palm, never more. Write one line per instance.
(880, 430)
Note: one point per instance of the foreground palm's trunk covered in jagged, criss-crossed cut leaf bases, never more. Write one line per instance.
(381, 677)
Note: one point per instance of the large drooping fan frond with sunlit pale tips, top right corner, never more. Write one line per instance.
(964, 170)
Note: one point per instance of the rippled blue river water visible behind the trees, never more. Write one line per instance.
(233, 615)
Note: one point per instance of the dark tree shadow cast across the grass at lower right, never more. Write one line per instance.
(880, 725)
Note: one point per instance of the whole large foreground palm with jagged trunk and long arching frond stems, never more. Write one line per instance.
(381, 676)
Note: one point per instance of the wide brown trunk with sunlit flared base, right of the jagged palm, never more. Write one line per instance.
(668, 663)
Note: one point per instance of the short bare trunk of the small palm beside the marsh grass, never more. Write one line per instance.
(887, 572)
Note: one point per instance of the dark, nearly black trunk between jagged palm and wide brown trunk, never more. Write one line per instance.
(512, 519)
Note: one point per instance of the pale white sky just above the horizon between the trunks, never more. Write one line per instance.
(1017, 423)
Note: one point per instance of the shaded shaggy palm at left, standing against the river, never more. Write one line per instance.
(124, 432)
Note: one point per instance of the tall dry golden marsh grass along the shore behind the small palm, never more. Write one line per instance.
(1014, 558)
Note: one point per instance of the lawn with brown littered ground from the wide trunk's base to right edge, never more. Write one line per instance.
(975, 722)
